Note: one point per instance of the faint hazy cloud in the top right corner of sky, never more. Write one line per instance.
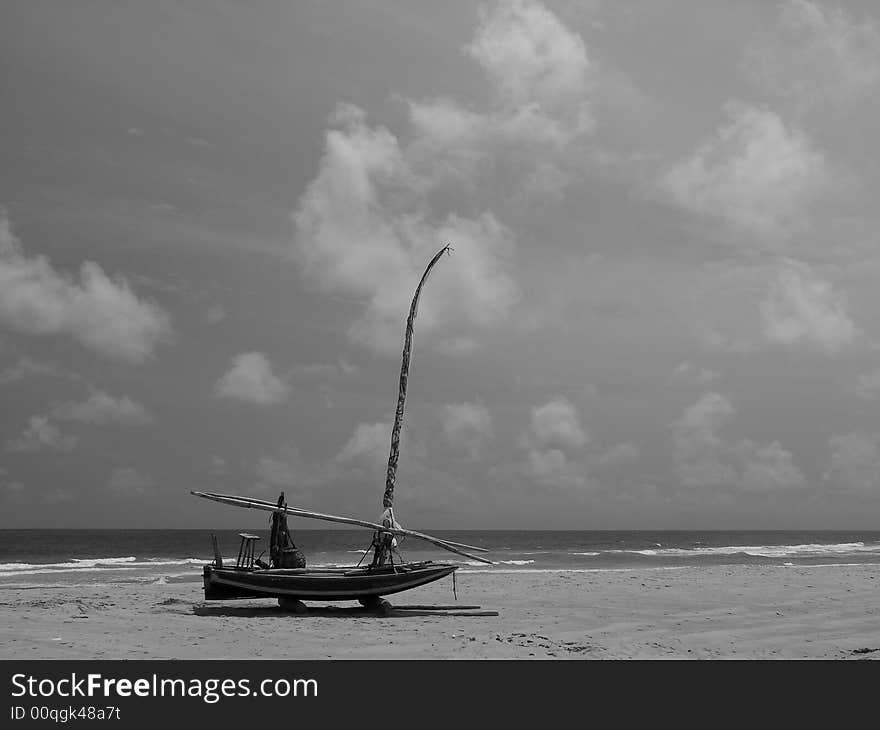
(815, 54)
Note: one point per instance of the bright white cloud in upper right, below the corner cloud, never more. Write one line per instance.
(755, 172)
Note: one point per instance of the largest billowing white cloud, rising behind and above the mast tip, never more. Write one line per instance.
(378, 208)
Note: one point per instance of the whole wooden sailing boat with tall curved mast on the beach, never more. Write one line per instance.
(287, 578)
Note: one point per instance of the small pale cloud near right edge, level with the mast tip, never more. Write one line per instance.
(802, 308)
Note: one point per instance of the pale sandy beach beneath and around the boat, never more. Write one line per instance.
(726, 612)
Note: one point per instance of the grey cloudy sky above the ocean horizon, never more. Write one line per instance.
(658, 313)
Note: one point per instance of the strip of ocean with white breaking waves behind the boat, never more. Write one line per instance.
(31, 558)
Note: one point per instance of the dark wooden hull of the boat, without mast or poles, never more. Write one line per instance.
(316, 584)
